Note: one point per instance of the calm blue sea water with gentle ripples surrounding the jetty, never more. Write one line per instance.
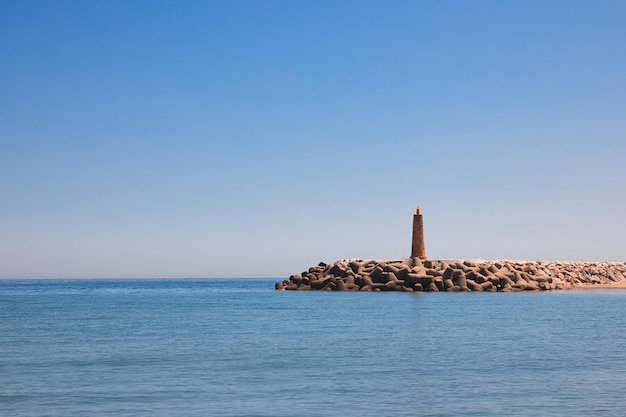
(239, 348)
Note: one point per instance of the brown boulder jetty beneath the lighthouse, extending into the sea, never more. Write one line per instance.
(414, 274)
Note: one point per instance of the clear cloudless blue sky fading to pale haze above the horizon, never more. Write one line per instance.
(258, 138)
